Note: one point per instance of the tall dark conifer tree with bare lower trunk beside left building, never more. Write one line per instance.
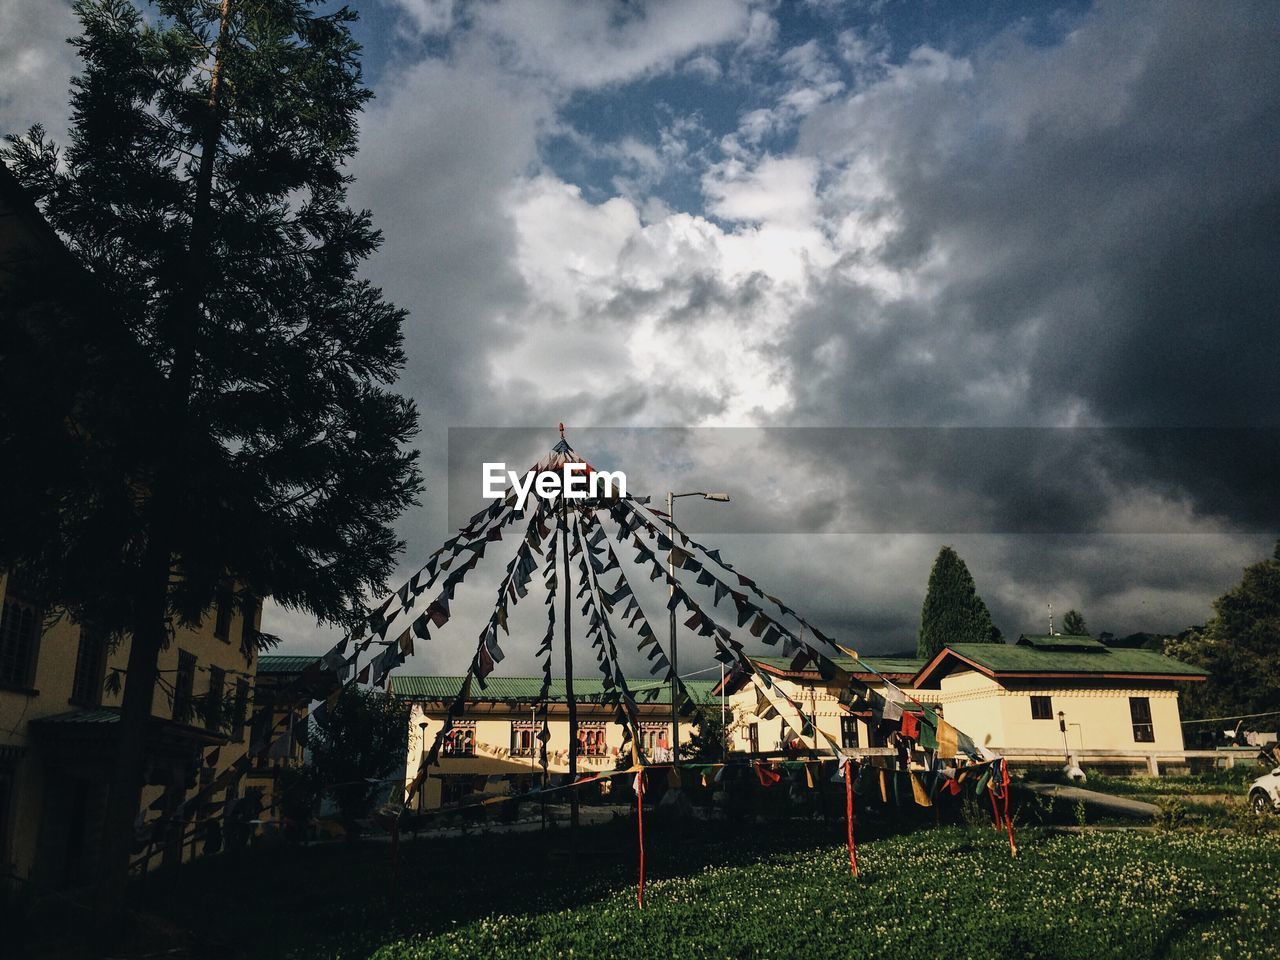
(204, 191)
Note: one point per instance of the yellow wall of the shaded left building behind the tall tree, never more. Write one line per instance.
(52, 693)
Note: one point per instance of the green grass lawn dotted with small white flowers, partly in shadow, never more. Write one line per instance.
(785, 893)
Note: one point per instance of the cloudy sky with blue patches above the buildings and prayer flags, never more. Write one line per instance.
(893, 275)
